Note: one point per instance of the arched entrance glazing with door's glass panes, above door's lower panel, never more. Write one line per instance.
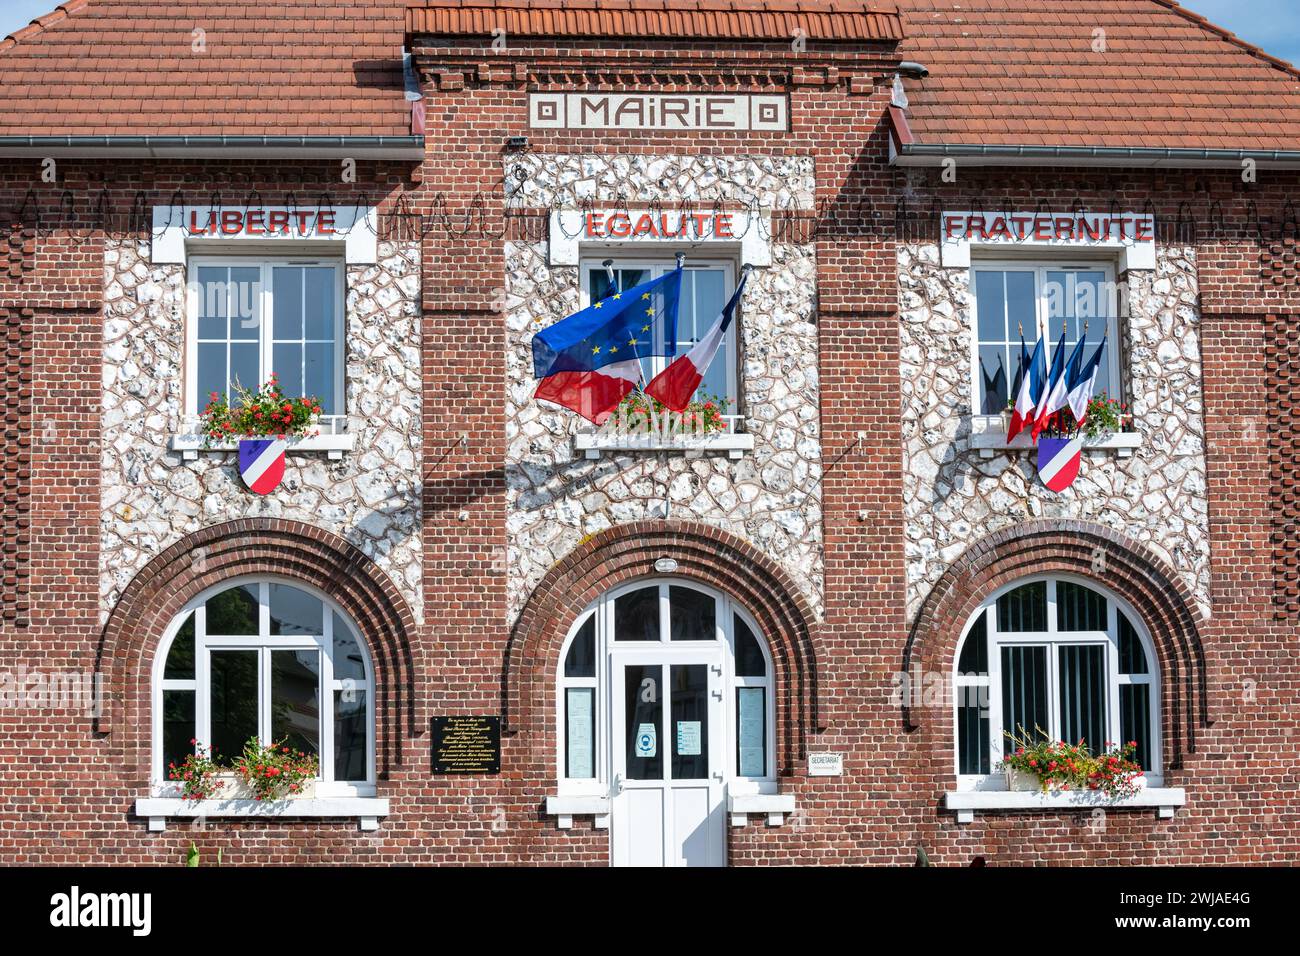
(714, 667)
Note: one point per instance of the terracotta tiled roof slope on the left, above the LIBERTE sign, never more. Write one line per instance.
(128, 67)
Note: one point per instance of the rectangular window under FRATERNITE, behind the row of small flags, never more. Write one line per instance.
(1039, 301)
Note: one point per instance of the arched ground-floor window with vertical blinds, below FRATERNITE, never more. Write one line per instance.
(1058, 657)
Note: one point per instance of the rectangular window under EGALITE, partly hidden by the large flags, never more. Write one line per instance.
(705, 289)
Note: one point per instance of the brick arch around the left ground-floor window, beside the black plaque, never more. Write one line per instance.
(254, 547)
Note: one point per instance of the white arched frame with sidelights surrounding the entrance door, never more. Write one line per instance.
(723, 617)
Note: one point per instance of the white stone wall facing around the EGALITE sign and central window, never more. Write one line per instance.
(772, 498)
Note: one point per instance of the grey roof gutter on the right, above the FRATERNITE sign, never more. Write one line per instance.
(935, 154)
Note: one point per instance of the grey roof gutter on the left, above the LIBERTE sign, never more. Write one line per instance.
(218, 148)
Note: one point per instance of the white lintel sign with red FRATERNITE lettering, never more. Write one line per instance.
(1133, 236)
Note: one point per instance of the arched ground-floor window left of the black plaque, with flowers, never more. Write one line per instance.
(267, 660)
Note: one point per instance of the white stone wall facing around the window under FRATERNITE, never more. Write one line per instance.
(952, 498)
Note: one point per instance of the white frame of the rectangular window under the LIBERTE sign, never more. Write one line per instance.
(266, 335)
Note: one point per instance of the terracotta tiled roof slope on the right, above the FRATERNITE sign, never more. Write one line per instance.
(1165, 77)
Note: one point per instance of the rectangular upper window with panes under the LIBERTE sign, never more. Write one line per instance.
(252, 319)
